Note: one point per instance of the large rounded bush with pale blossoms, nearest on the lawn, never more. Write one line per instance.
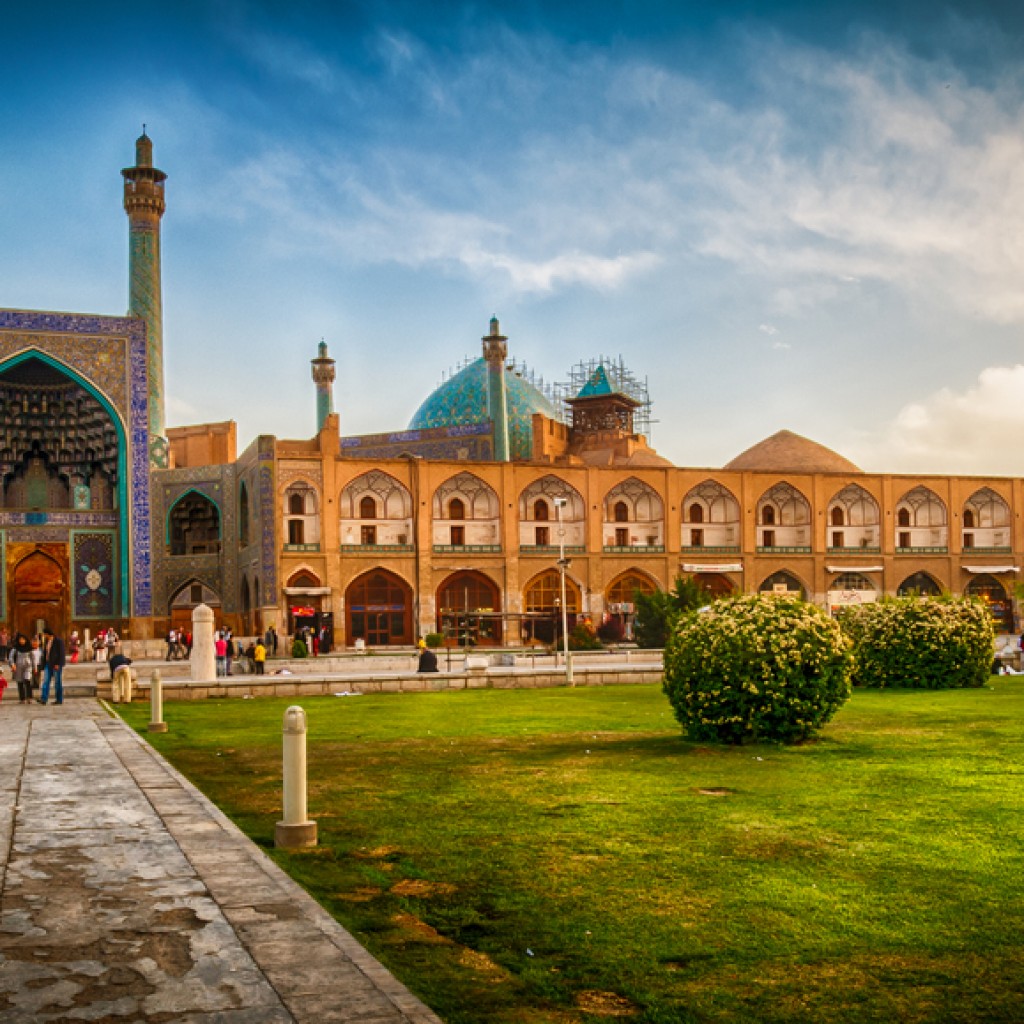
(756, 668)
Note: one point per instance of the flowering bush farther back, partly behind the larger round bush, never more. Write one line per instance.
(930, 644)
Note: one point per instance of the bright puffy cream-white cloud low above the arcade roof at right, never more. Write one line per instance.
(978, 431)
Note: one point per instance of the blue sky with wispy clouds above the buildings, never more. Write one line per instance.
(789, 216)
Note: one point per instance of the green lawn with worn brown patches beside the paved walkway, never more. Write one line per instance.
(566, 857)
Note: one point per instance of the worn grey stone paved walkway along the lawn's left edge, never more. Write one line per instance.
(126, 897)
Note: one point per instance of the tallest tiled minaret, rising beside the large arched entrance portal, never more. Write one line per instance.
(145, 206)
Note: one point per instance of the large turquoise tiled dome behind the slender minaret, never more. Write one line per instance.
(463, 400)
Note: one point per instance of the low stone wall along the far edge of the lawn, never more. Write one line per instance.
(391, 682)
